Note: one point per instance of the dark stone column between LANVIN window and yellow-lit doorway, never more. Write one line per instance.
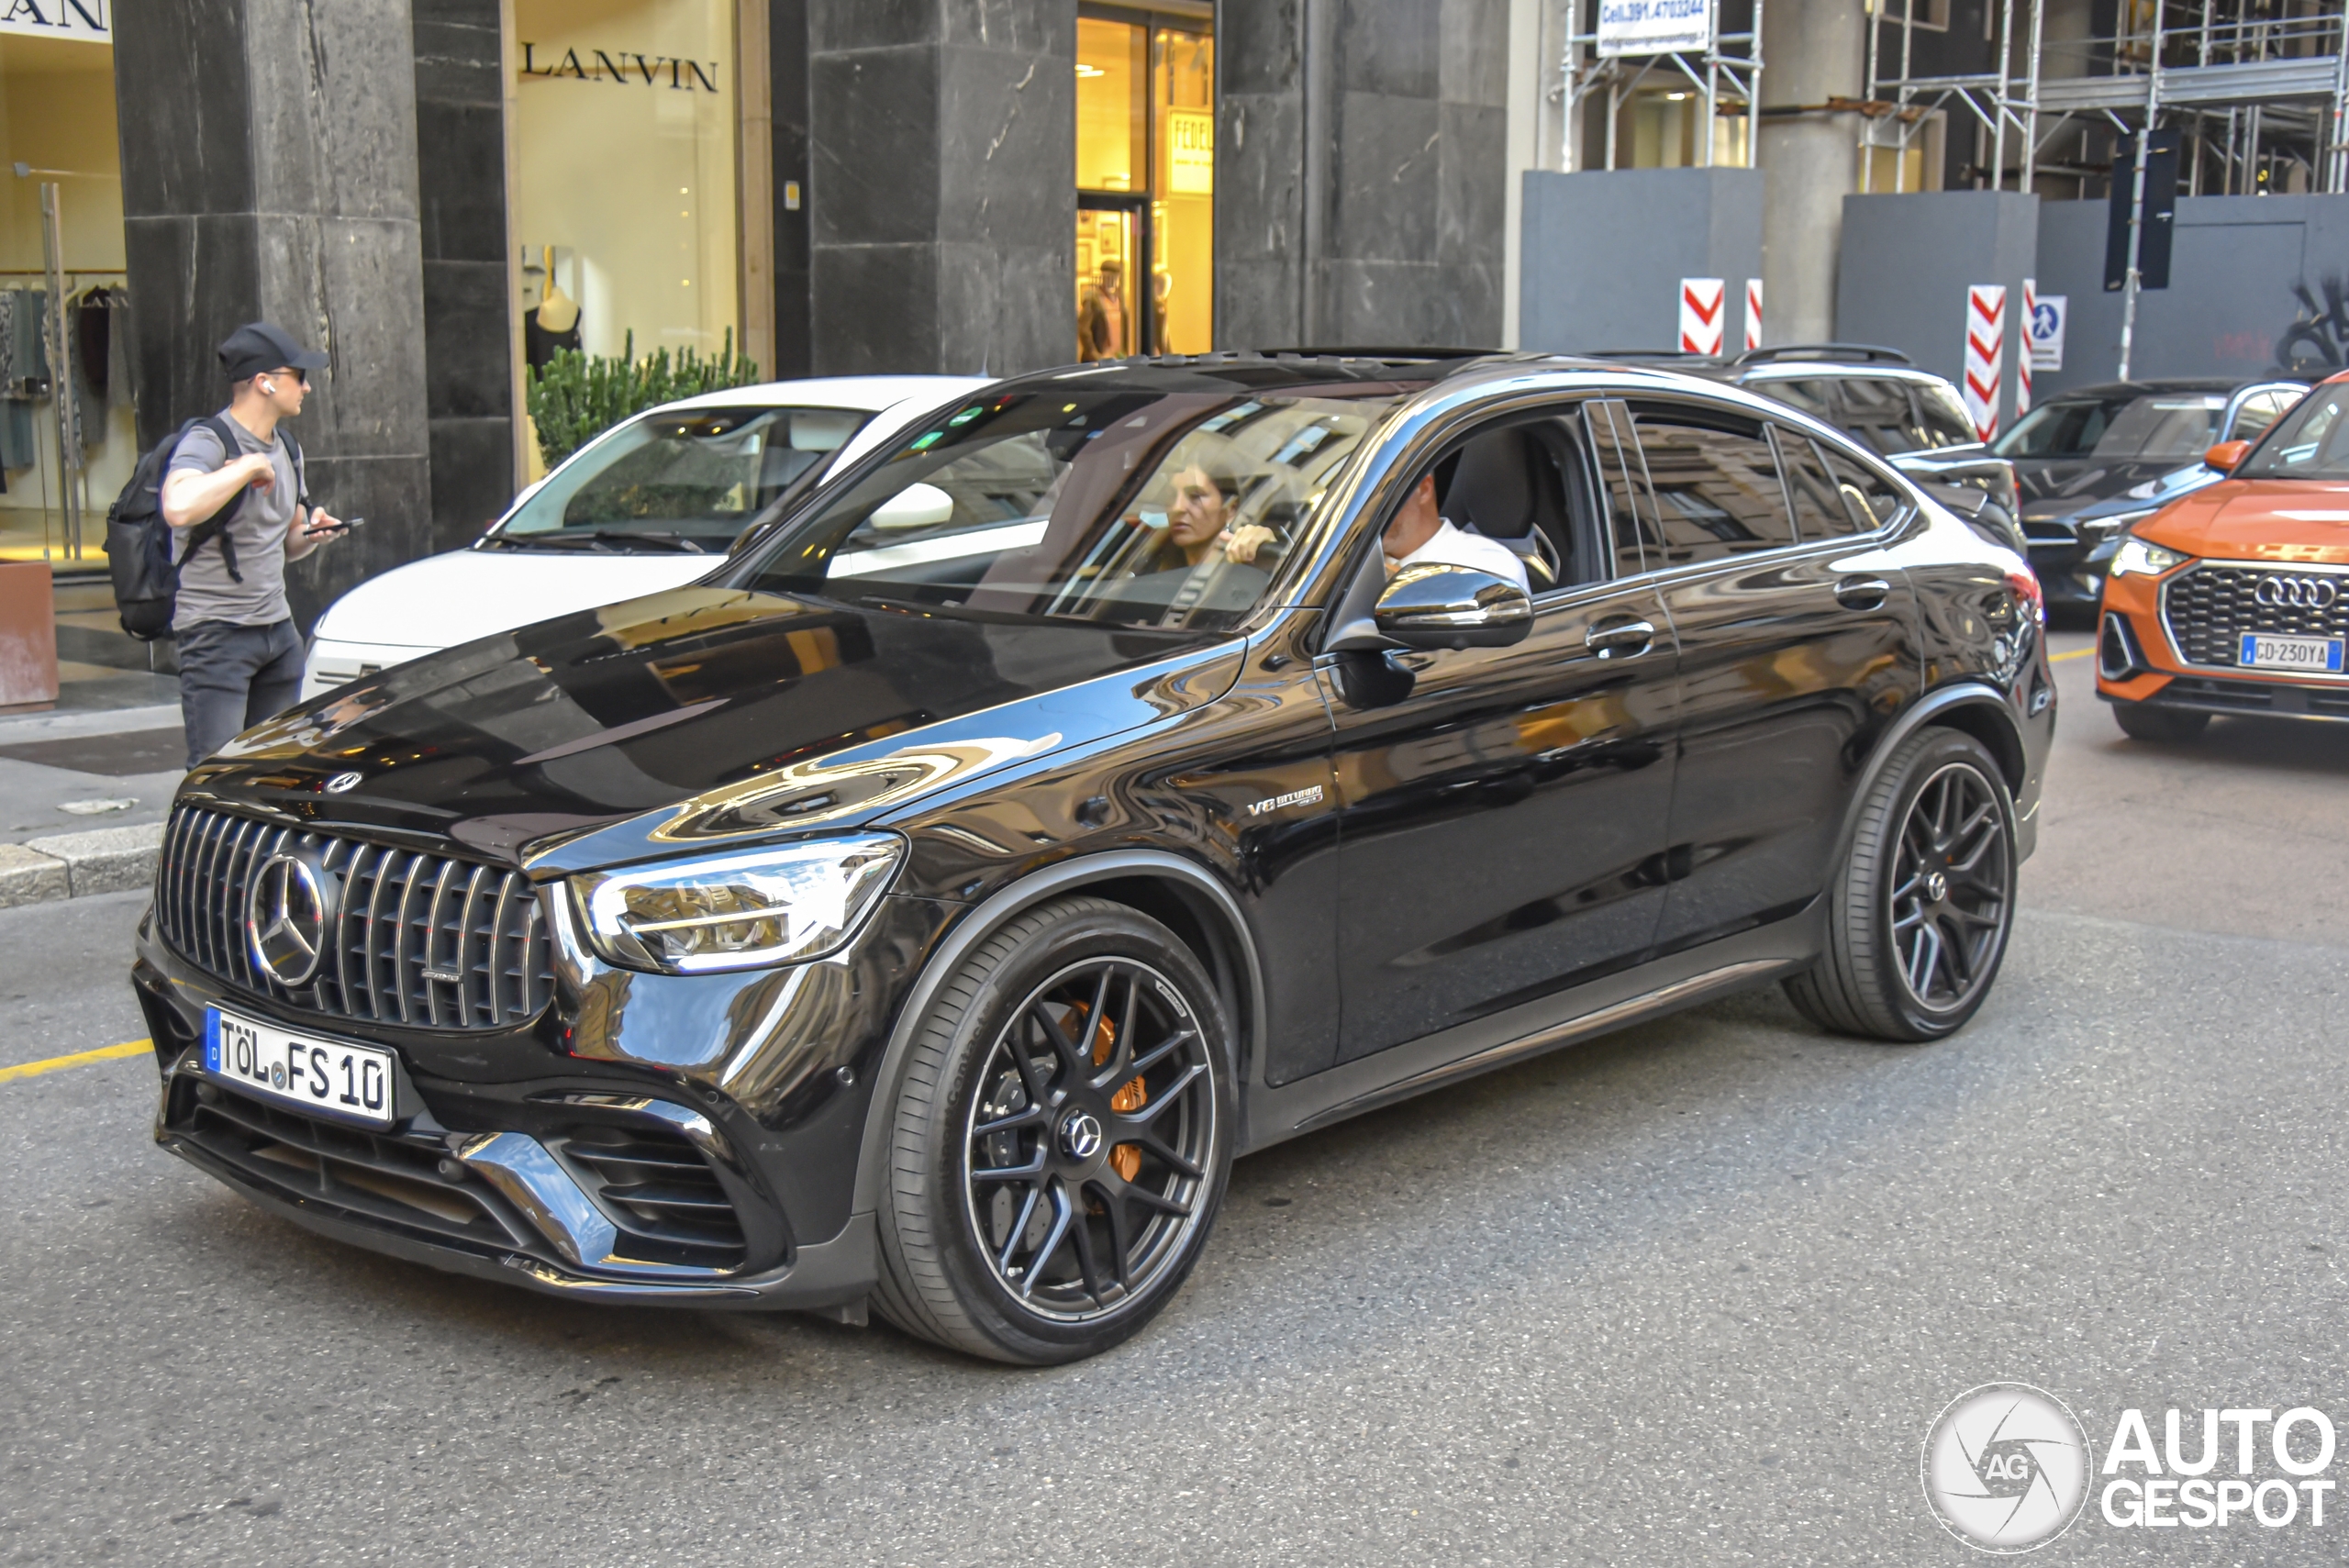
(943, 184)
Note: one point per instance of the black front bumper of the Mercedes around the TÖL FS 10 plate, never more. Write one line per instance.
(647, 1140)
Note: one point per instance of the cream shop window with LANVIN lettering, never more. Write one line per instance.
(624, 194)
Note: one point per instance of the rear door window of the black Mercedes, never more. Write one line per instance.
(1716, 487)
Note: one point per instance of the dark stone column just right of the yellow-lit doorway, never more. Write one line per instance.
(1361, 173)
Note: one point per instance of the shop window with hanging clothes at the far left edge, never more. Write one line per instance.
(58, 123)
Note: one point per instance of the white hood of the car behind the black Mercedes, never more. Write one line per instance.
(457, 597)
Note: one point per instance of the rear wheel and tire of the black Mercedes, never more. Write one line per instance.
(1937, 809)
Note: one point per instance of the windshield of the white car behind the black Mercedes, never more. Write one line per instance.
(687, 480)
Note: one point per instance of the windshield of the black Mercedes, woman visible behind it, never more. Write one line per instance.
(1122, 508)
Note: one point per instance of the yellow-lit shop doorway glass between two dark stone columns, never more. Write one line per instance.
(1145, 177)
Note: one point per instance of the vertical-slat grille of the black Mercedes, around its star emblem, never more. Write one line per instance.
(422, 940)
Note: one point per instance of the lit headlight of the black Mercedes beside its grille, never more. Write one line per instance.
(739, 912)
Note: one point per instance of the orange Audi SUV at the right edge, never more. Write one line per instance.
(2235, 600)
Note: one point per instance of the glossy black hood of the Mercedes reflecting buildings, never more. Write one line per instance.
(699, 717)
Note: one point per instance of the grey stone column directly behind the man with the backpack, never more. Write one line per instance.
(269, 170)
